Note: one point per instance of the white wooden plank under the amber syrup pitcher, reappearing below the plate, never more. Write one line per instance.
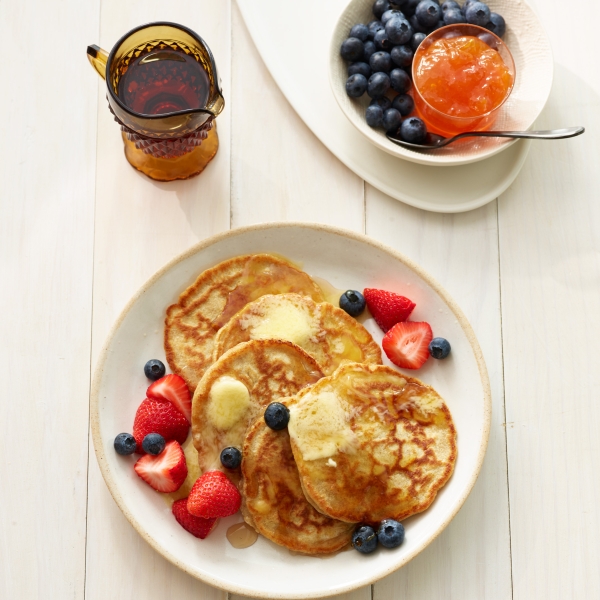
(140, 225)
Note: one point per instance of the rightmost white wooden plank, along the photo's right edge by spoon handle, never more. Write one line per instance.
(550, 272)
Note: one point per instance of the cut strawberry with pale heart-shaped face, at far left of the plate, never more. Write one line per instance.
(165, 472)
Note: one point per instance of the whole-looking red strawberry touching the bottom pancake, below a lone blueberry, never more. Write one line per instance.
(213, 495)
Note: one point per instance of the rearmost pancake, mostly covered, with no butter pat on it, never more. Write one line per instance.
(217, 294)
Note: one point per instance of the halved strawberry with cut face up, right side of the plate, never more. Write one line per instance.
(407, 344)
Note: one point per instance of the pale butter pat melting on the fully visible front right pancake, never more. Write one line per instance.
(319, 426)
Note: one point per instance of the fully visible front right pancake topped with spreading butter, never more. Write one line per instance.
(371, 443)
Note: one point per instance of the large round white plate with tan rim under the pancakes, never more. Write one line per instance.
(346, 260)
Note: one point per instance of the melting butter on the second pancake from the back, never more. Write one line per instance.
(283, 322)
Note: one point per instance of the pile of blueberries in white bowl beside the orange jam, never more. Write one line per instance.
(381, 52)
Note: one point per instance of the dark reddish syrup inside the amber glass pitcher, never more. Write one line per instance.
(164, 81)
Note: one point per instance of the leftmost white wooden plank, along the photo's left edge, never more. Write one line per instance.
(47, 162)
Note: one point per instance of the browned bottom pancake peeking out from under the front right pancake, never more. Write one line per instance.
(273, 501)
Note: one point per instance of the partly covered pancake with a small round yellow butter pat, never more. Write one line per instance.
(233, 391)
